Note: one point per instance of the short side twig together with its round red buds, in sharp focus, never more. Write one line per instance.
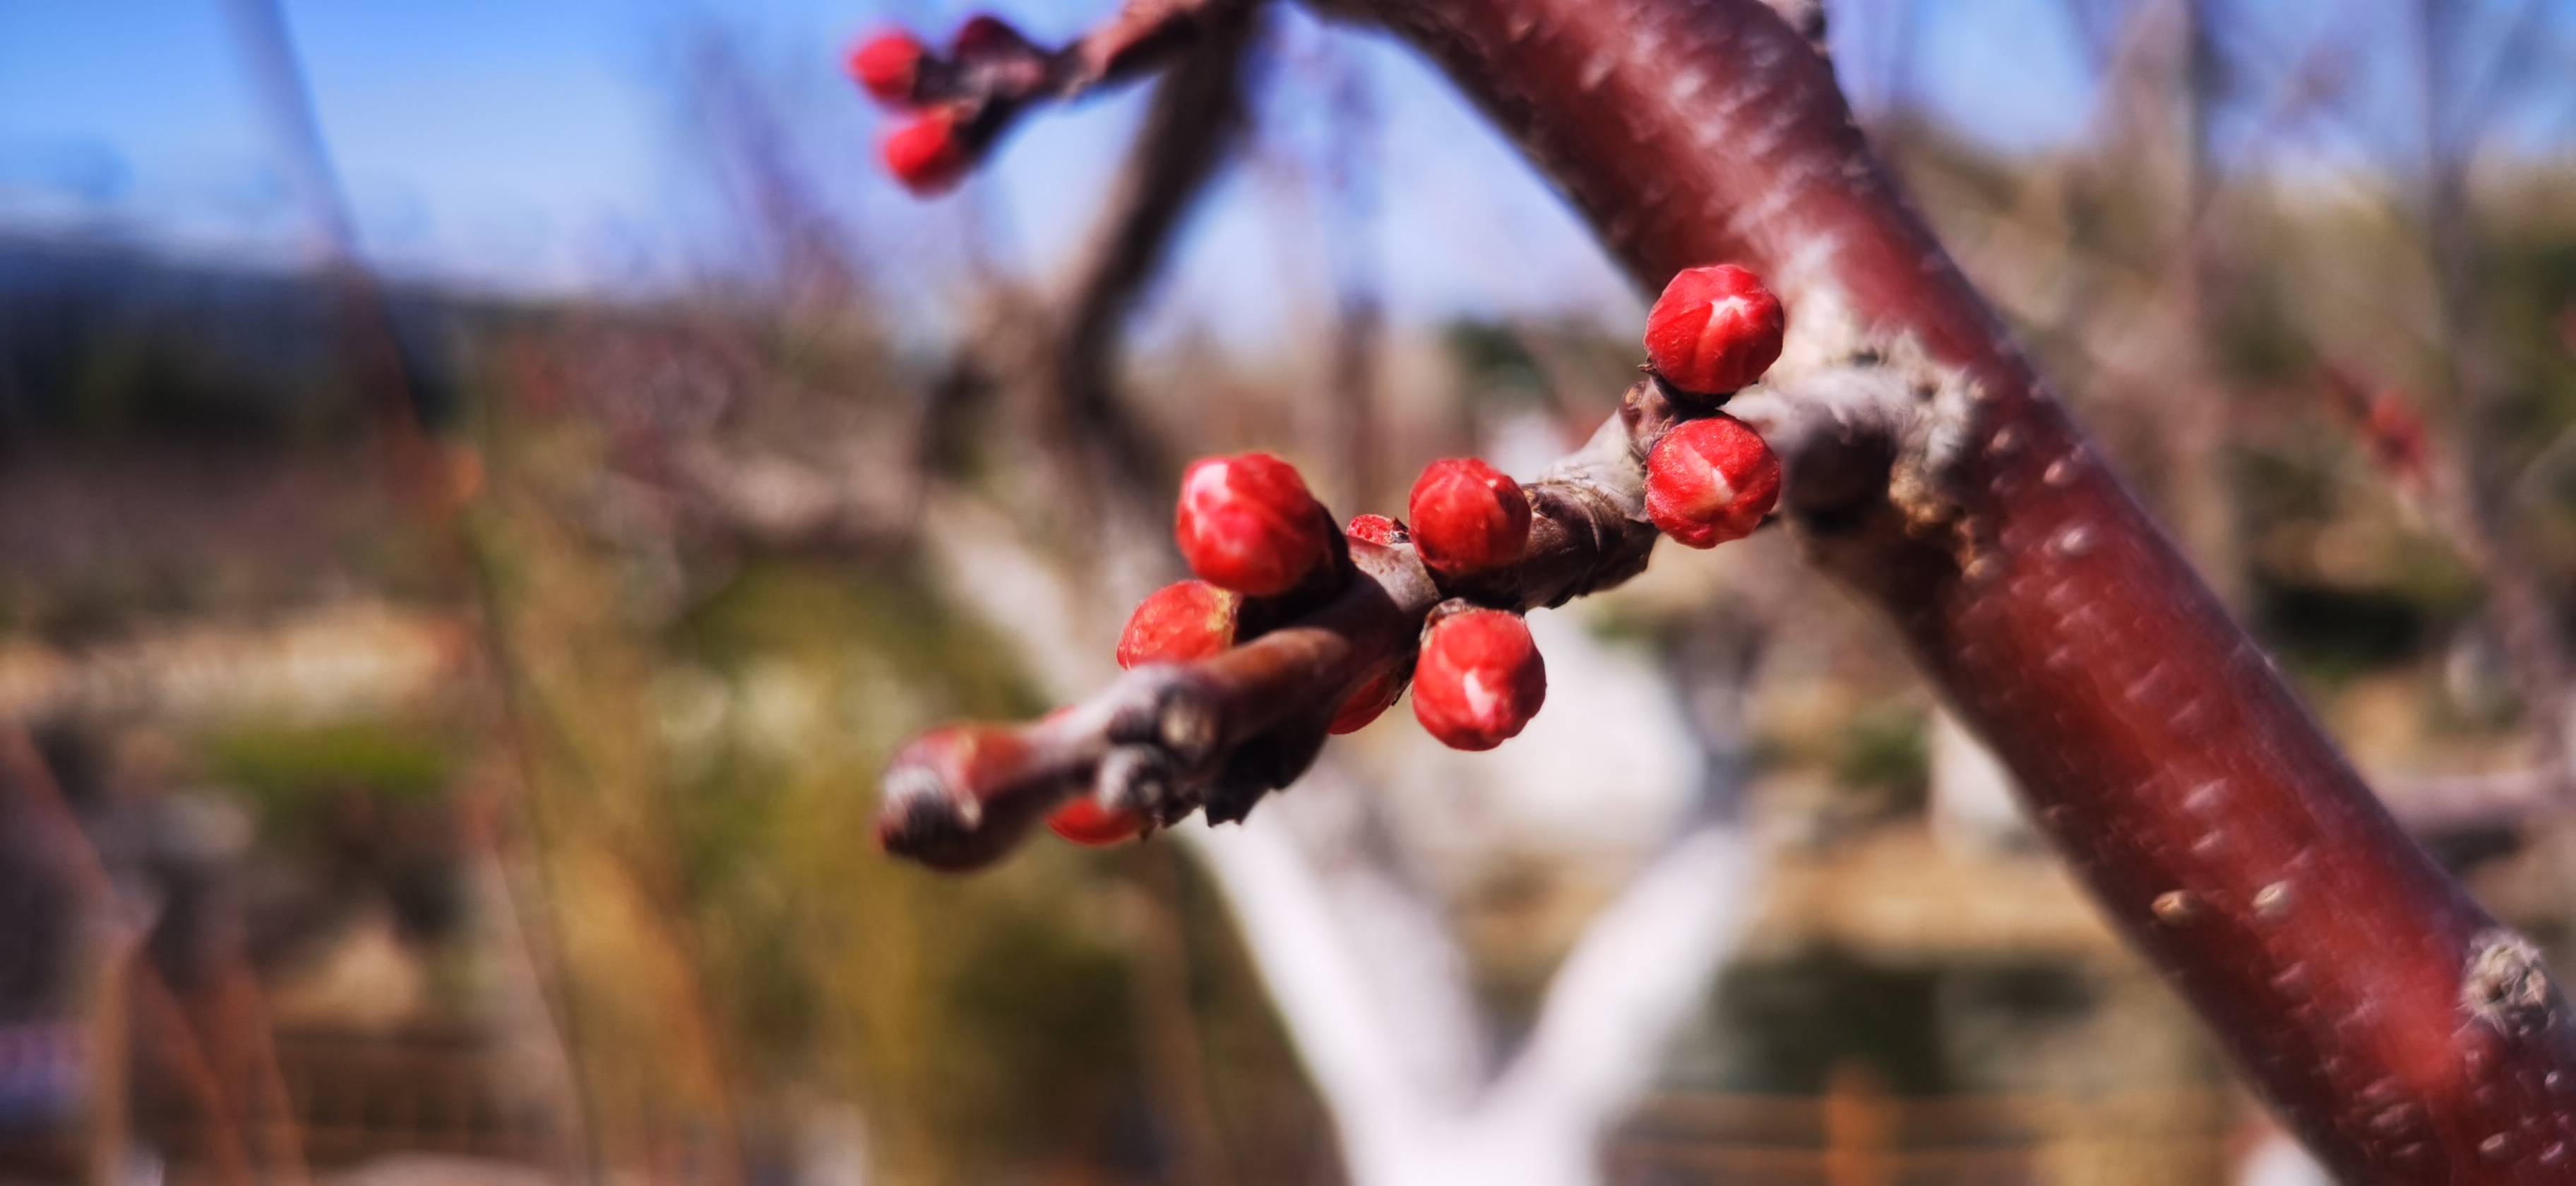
(1297, 629)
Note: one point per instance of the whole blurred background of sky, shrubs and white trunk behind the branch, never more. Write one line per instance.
(483, 490)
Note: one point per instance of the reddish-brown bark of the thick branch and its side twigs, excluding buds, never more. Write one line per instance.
(2400, 1030)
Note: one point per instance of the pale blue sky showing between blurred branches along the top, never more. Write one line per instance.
(558, 145)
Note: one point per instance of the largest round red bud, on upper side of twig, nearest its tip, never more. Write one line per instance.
(1251, 526)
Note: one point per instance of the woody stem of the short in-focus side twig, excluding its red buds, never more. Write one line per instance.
(1227, 729)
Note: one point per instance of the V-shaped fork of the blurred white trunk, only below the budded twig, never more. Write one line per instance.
(1640, 971)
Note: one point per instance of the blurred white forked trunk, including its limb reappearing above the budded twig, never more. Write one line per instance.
(1364, 971)
